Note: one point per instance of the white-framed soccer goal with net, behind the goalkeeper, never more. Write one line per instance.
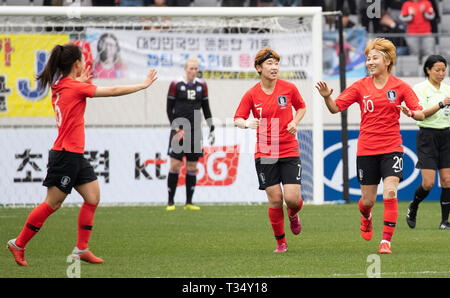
(122, 134)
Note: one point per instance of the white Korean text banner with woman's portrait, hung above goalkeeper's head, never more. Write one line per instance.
(128, 54)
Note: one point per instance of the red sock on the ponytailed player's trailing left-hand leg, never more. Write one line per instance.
(34, 222)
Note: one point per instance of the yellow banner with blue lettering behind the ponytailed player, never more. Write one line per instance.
(22, 57)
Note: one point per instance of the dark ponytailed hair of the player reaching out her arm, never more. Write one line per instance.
(59, 64)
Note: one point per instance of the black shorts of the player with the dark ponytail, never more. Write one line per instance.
(68, 169)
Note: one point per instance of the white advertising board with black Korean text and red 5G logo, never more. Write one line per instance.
(132, 166)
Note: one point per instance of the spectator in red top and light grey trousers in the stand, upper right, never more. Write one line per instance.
(418, 14)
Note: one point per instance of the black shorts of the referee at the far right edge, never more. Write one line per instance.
(433, 148)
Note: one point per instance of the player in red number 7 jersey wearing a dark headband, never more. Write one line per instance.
(277, 152)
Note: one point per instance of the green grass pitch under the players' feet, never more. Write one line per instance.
(228, 241)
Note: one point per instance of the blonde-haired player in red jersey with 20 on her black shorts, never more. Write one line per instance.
(380, 149)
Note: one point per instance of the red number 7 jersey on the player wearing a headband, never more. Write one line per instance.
(275, 113)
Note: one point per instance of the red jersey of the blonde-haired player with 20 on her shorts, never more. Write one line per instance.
(379, 130)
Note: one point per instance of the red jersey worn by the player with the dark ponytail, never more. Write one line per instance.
(69, 104)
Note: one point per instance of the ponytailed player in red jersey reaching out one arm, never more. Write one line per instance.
(67, 168)
